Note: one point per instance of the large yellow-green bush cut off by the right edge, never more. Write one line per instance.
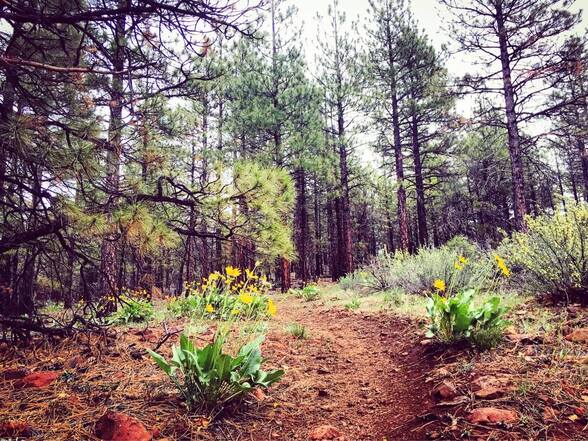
(553, 254)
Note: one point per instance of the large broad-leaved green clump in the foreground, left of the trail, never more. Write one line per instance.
(210, 379)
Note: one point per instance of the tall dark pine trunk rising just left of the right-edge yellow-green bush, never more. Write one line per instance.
(514, 144)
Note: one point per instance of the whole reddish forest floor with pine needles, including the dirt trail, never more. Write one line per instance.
(362, 374)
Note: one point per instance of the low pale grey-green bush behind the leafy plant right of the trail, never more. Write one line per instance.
(416, 273)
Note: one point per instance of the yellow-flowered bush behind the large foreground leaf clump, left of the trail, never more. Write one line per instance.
(222, 296)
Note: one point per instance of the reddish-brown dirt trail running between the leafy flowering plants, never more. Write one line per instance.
(363, 374)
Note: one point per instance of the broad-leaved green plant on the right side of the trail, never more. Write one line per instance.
(453, 318)
